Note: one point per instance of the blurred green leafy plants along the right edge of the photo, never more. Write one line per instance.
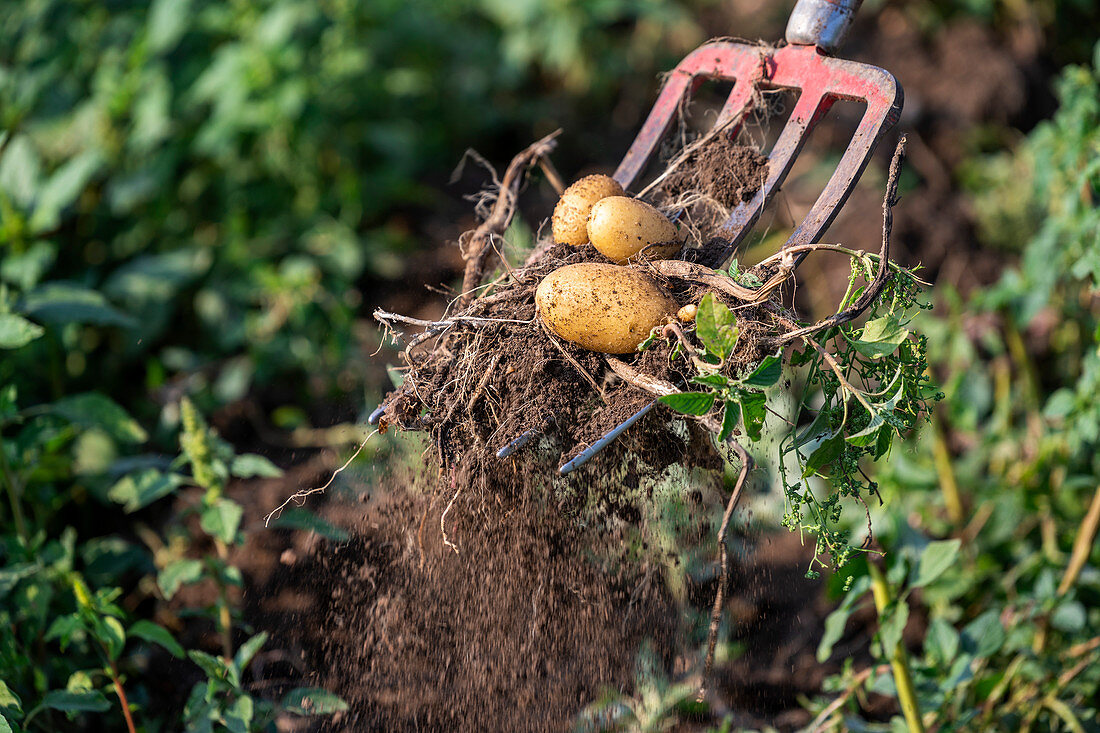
(1007, 478)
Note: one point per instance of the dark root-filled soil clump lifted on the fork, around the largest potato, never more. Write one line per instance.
(498, 374)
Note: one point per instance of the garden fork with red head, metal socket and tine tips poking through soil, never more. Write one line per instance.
(815, 32)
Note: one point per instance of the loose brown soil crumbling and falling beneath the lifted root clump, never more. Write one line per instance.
(519, 631)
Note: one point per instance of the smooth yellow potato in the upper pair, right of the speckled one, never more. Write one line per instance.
(622, 227)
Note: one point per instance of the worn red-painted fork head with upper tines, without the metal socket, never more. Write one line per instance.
(821, 81)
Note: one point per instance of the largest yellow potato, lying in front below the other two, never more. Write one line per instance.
(603, 308)
